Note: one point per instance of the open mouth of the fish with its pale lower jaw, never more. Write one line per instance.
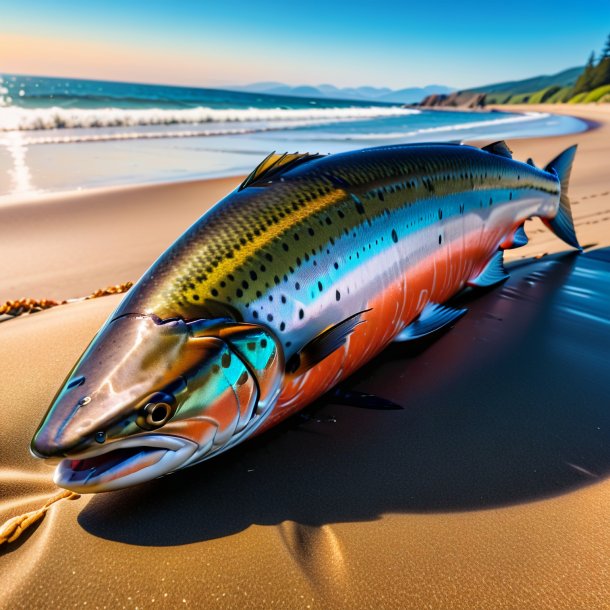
(123, 463)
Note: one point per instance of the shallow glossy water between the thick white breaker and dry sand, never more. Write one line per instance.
(34, 170)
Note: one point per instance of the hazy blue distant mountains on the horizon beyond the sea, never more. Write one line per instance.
(372, 94)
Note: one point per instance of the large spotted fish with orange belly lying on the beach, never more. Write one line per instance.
(283, 289)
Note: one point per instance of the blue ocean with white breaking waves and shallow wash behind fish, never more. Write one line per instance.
(60, 134)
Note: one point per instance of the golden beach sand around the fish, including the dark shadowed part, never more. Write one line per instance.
(489, 490)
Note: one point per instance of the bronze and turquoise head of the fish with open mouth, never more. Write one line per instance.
(151, 396)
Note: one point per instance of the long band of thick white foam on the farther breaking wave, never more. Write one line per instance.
(14, 118)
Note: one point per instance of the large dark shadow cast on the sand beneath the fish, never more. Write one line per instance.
(510, 406)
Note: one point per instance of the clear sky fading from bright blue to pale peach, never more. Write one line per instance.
(392, 43)
